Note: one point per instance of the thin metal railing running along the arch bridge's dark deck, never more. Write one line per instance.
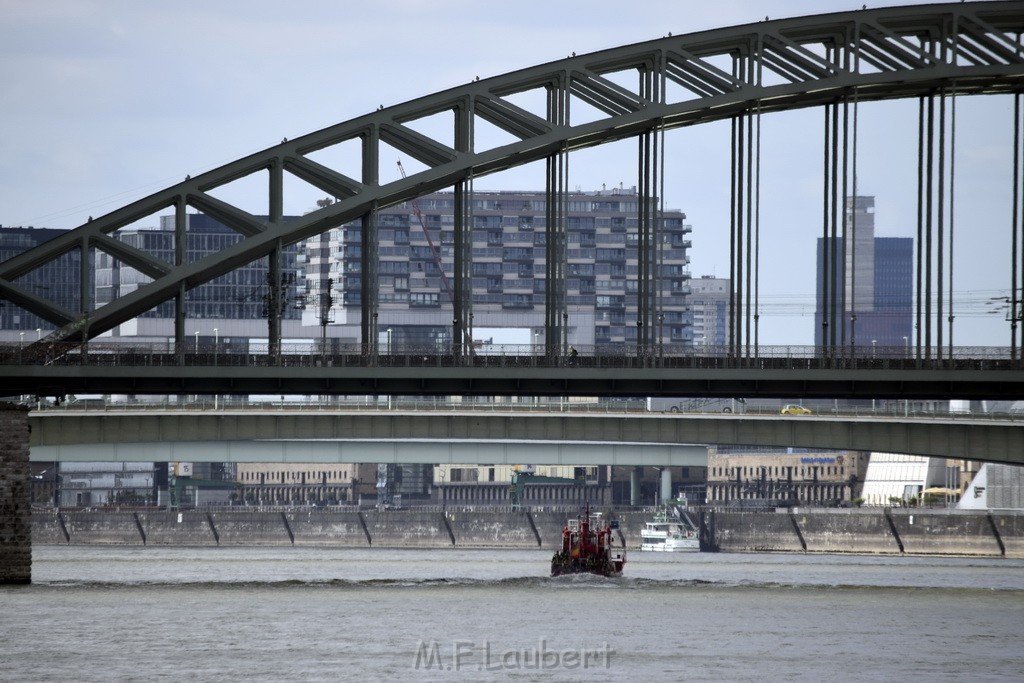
(513, 356)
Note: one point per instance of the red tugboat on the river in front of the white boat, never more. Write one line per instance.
(588, 547)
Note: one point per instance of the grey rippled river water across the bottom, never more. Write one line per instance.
(118, 614)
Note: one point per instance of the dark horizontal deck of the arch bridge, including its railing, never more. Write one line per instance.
(148, 371)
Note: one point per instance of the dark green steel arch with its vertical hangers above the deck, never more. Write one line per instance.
(832, 61)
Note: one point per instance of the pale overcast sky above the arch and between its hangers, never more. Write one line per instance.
(106, 102)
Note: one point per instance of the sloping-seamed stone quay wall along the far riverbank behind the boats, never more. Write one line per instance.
(870, 531)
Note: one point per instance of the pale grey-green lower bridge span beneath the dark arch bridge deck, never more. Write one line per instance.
(385, 436)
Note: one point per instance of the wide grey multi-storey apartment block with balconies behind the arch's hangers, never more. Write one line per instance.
(415, 271)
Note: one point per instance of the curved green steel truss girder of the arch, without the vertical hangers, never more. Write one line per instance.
(966, 49)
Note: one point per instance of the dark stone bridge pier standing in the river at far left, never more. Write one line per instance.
(16, 513)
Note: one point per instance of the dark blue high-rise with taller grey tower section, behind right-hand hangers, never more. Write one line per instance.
(874, 284)
